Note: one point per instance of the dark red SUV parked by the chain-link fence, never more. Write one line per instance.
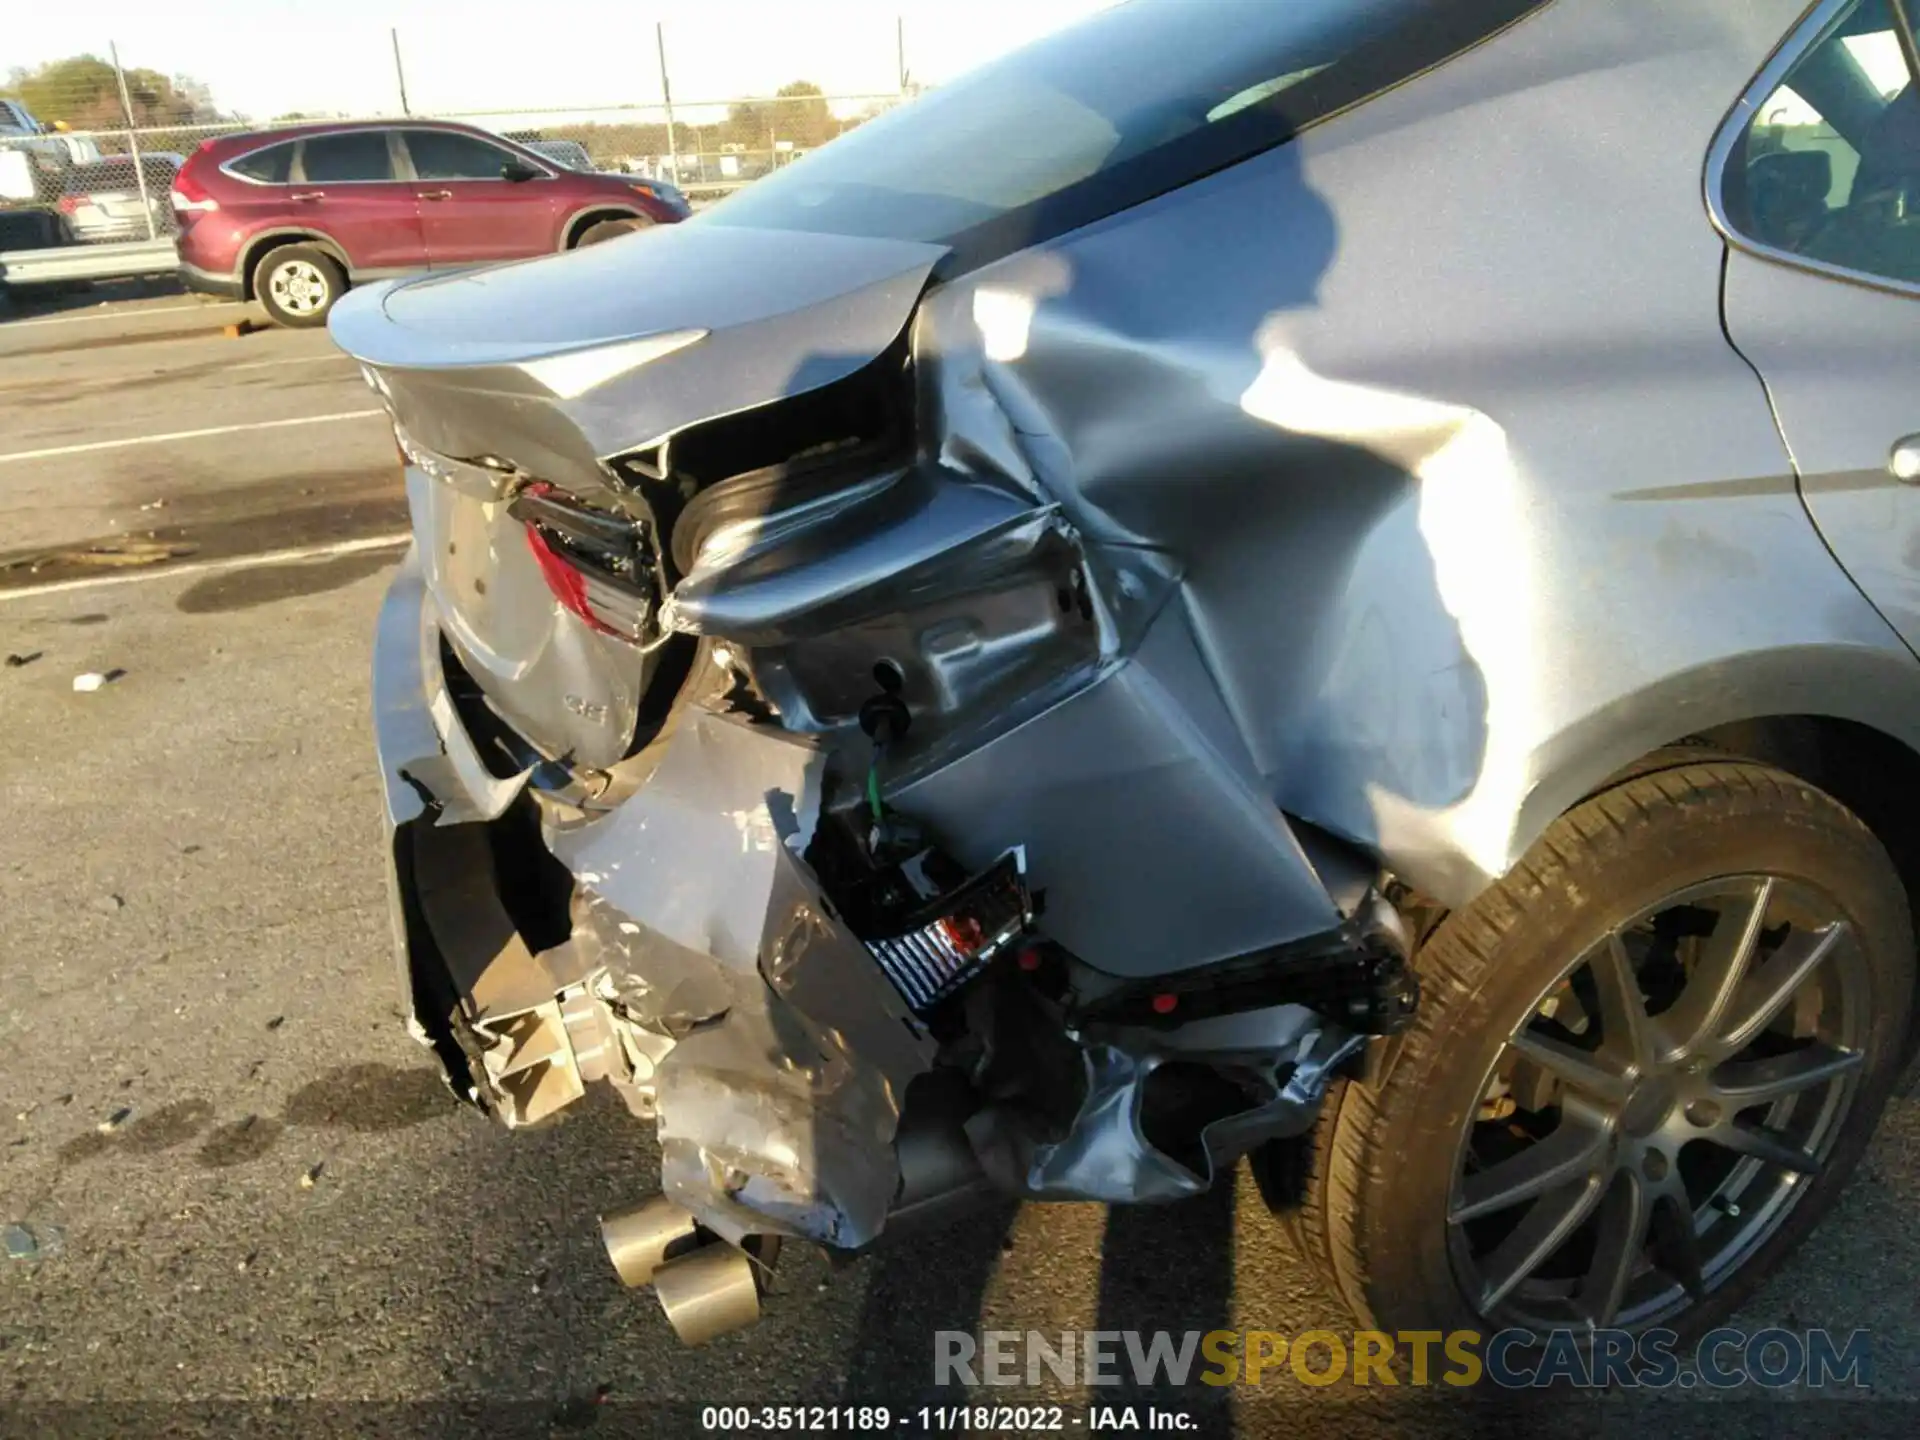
(293, 218)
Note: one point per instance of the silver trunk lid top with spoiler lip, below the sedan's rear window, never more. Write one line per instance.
(468, 362)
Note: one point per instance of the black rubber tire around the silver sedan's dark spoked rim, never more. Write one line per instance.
(1380, 1182)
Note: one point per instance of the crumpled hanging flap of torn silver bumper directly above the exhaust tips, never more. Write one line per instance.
(780, 1099)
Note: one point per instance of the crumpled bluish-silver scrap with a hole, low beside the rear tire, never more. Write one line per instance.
(1107, 1155)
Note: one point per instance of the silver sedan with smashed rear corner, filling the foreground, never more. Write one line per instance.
(1226, 587)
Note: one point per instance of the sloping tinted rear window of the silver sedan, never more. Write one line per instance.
(1128, 105)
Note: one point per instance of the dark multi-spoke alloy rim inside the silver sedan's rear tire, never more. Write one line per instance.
(1664, 1105)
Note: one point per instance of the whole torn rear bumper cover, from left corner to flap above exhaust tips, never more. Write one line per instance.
(704, 976)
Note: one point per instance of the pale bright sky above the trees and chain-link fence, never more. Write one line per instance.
(274, 57)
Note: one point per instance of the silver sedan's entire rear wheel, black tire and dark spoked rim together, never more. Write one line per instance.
(1644, 1065)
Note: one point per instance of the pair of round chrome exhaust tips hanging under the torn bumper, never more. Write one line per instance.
(706, 1285)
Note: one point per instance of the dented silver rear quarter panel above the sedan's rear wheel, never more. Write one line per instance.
(1449, 504)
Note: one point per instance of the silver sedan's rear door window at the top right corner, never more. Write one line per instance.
(1829, 166)
